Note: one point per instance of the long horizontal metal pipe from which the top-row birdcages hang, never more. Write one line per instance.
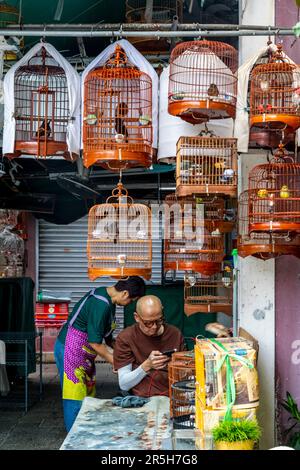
(154, 34)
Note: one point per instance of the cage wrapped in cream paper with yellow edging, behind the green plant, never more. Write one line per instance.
(211, 381)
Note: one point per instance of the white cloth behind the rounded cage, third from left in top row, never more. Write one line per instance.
(171, 128)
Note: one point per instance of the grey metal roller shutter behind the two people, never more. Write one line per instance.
(62, 261)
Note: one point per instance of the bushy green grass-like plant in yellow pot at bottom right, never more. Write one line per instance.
(236, 435)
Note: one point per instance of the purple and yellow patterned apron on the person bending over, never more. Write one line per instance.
(79, 360)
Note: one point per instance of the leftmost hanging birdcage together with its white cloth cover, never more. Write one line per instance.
(42, 106)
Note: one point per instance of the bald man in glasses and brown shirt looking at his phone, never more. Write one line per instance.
(138, 353)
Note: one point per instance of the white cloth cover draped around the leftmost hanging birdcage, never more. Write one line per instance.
(73, 87)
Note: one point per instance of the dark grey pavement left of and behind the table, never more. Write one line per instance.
(42, 427)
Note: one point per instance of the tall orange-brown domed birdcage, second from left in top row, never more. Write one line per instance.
(117, 115)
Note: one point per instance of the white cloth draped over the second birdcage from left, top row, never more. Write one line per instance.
(137, 59)
